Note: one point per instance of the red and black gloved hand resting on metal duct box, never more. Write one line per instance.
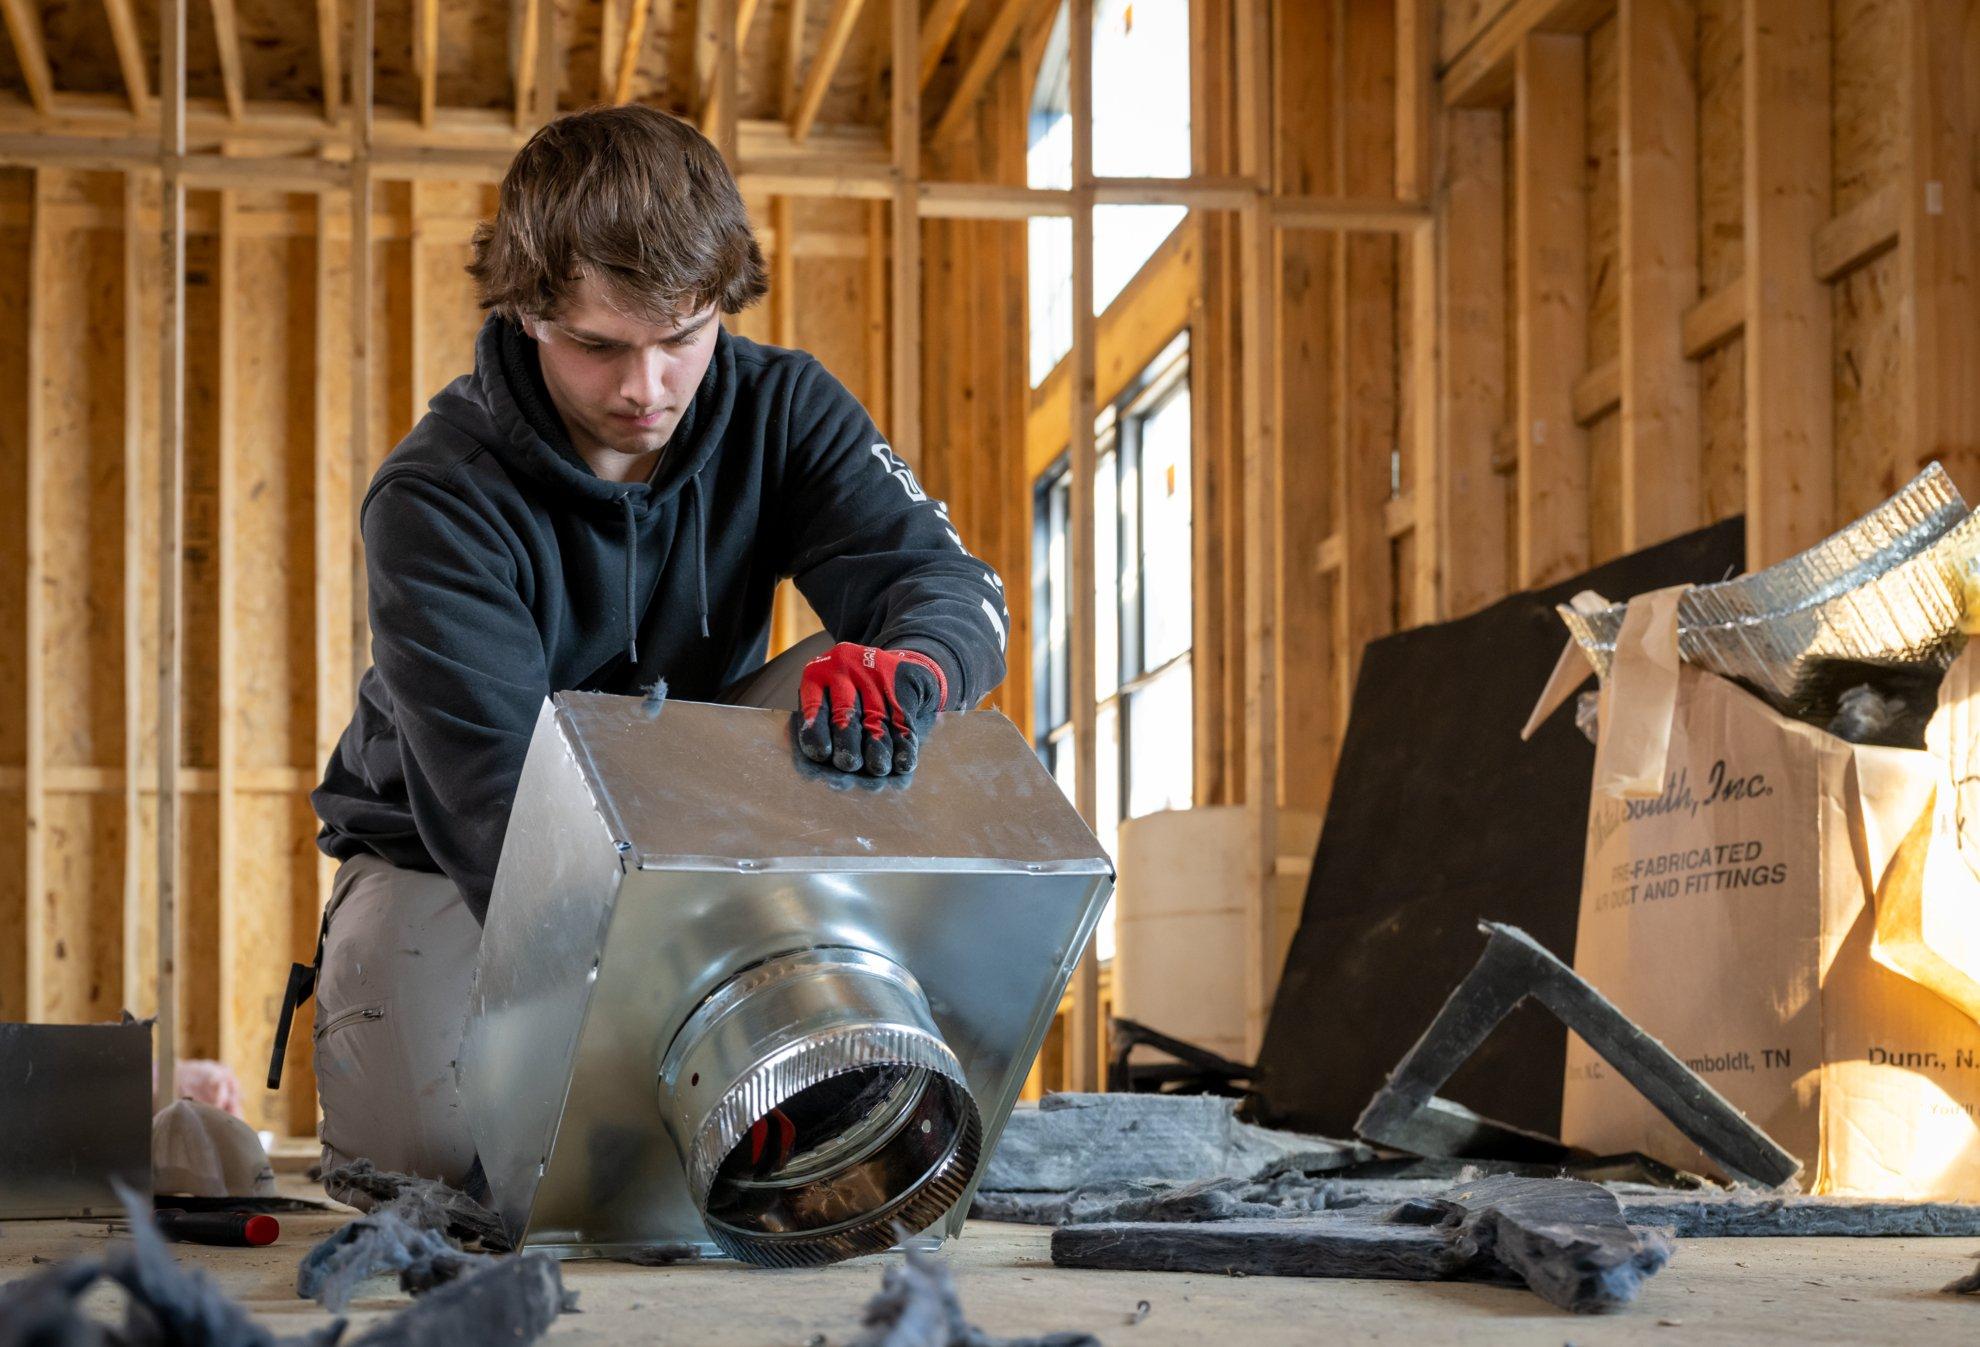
(866, 710)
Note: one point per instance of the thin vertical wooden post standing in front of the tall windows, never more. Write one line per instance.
(1082, 629)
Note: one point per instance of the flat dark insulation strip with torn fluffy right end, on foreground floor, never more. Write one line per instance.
(1561, 1239)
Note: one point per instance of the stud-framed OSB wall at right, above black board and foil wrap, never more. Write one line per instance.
(1700, 259)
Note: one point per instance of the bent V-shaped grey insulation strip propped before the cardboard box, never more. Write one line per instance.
(1407, 1112)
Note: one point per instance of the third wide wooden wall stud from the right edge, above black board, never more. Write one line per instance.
(1662, 468)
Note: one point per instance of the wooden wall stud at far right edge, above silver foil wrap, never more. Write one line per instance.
(1941, 237)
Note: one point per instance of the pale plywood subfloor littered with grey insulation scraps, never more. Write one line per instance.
(1716, 1293)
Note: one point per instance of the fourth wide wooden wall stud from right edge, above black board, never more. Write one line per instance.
(1551, 316)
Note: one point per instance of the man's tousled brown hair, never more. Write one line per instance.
(631, 197)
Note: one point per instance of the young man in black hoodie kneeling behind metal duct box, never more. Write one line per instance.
(605, 502)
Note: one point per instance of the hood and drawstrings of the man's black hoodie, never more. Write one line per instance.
(506, 407)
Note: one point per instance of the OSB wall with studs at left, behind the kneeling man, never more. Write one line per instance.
(268, 544)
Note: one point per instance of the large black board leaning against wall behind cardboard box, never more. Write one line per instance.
(1438, 819)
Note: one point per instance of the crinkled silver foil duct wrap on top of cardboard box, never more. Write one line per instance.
(1884, 595)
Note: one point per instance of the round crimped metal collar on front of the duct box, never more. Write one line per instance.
(819, 1110)
